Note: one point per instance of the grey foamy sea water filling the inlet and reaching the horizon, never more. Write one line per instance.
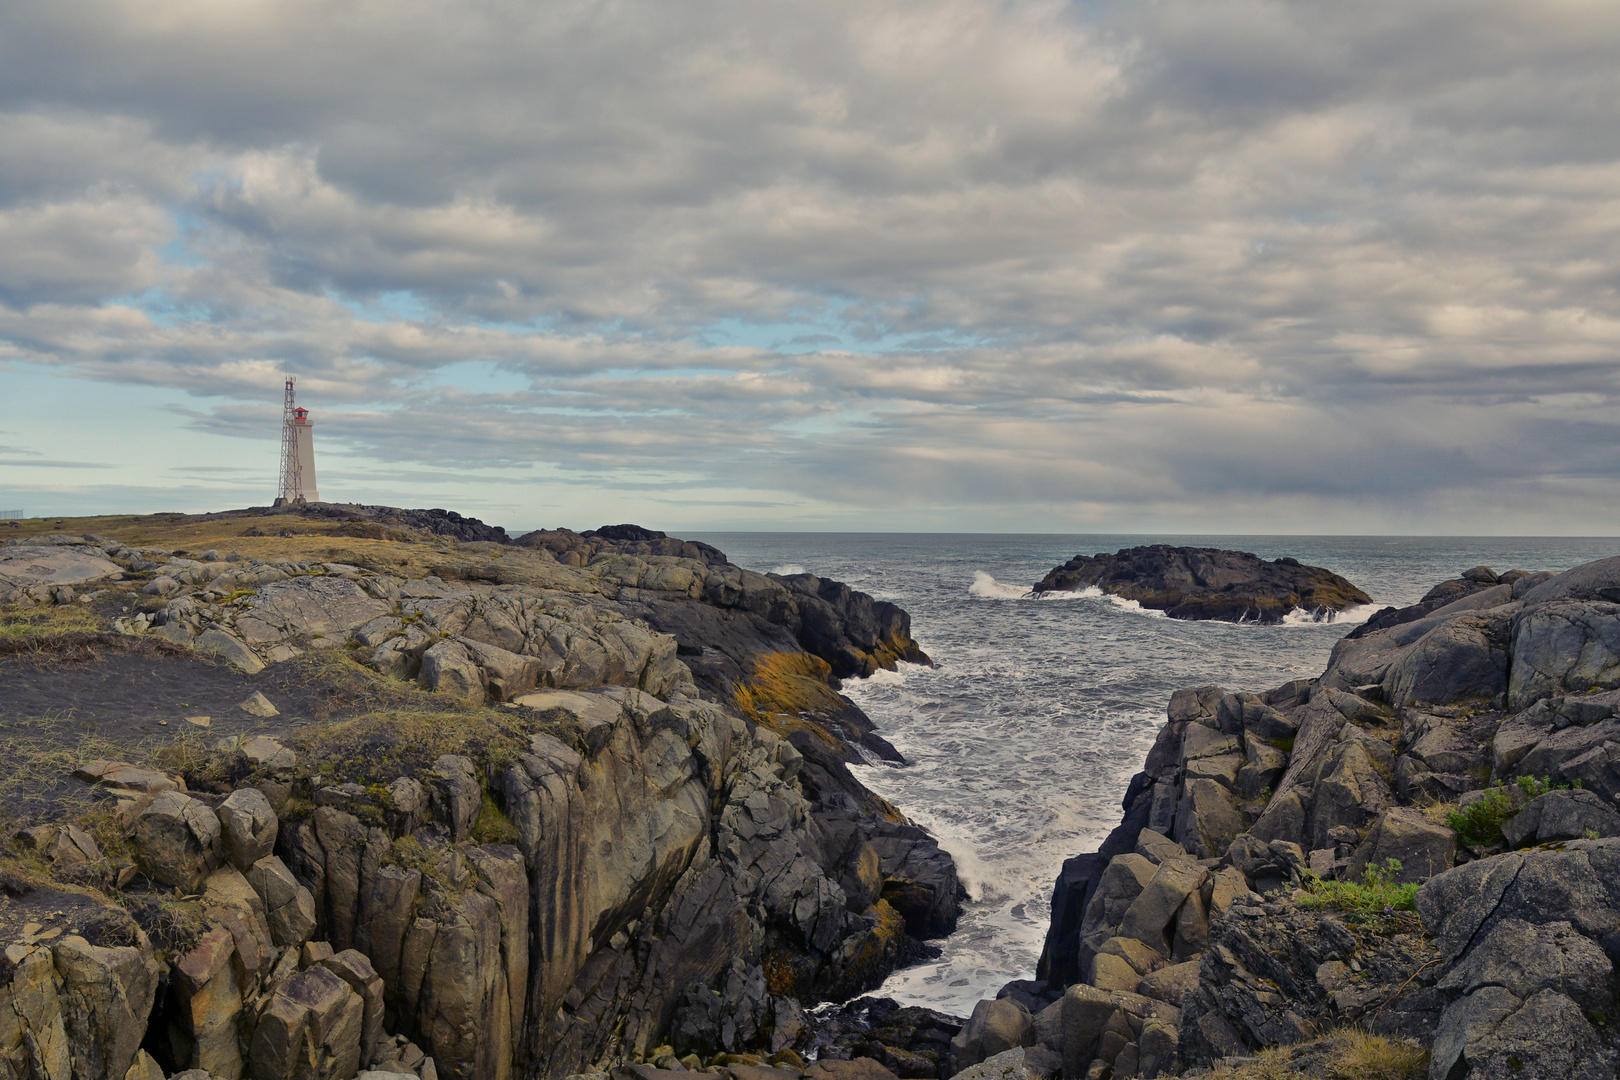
(1021, 741)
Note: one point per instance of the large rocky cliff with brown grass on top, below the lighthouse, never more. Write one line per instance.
(459, 809)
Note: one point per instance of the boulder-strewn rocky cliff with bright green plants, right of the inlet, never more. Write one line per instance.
(1412, 859)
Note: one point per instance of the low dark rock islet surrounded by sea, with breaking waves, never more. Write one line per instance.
(1208, 584)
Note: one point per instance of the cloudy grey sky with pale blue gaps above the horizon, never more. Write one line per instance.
(963, 265)
